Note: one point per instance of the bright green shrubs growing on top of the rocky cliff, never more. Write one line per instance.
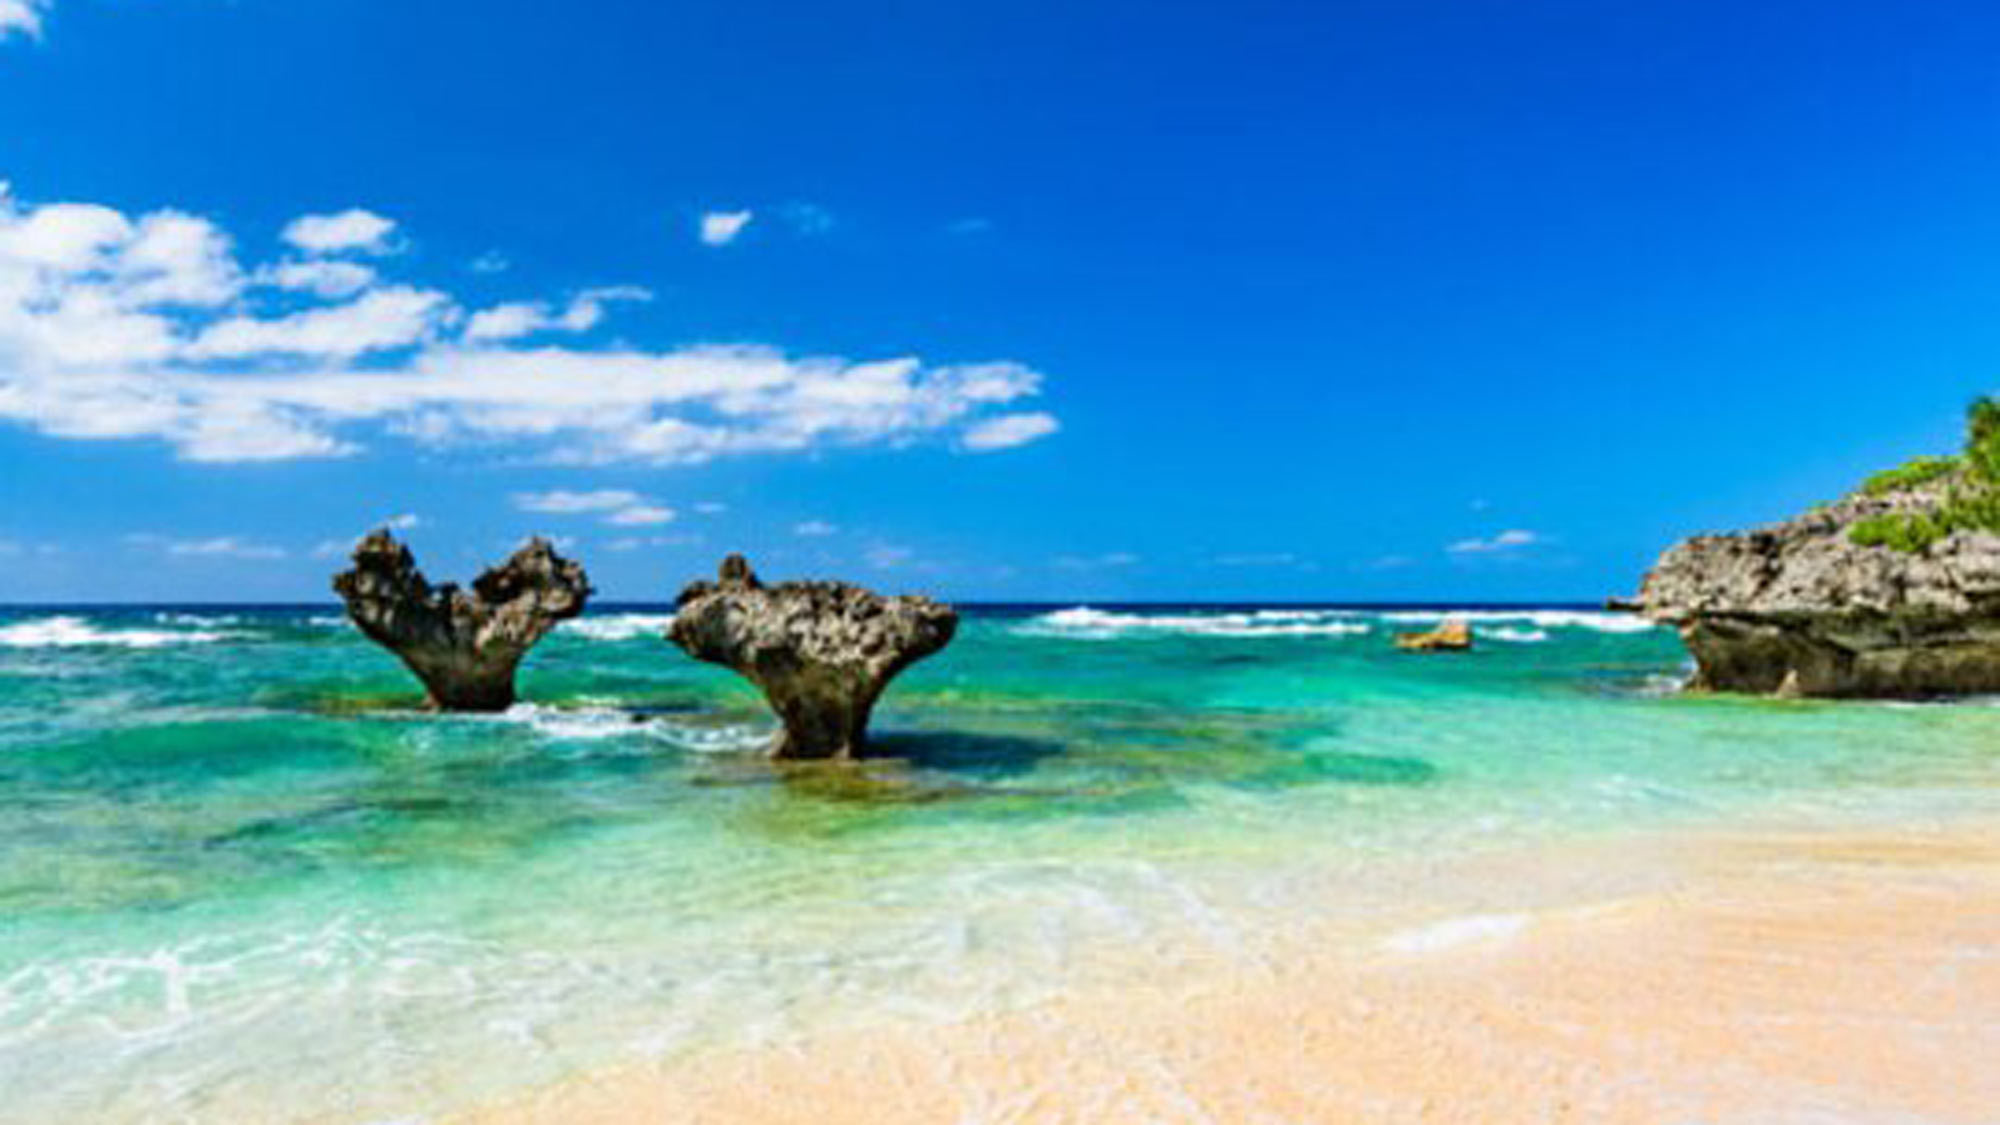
(1971, 497)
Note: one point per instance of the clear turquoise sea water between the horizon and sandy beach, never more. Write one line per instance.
(243, 878)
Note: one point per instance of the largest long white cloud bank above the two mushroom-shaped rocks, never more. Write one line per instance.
(117, 327)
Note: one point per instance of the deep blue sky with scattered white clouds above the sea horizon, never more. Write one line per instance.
(1043, 301)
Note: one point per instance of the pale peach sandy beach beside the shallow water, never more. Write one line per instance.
(1781, 978)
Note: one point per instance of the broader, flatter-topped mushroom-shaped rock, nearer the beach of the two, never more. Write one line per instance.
(823, 654)
